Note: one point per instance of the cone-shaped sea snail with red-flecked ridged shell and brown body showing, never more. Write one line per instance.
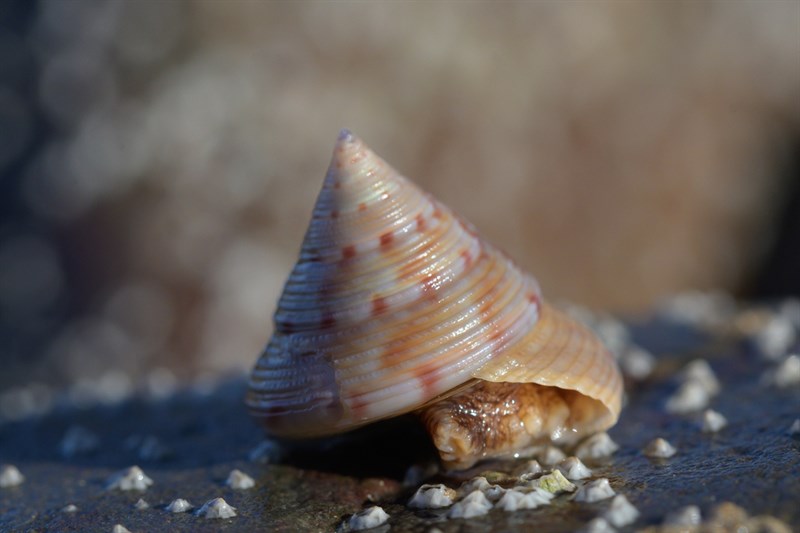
(397, 305)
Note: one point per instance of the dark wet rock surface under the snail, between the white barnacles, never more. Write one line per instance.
(753, 462)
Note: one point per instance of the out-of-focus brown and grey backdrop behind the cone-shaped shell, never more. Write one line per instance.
(159, 160)
